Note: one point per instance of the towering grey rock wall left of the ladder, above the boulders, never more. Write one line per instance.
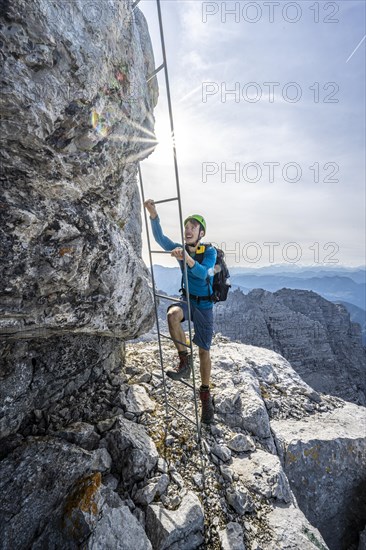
(77, 116)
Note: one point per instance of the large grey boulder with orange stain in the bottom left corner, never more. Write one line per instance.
(55, 490)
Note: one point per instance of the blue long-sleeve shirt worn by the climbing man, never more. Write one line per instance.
(197, 275)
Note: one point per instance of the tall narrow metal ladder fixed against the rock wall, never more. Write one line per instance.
(156, 295)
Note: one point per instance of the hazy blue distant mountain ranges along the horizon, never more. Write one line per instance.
(342, 285)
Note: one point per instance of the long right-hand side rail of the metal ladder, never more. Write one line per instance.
(179, 204)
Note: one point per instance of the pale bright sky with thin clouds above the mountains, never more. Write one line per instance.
(269, 112)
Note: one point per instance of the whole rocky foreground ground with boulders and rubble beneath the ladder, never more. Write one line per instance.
(130, 473)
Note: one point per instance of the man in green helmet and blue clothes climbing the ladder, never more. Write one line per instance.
(200, 278)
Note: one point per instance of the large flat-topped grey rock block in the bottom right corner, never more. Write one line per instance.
(315, 453)
